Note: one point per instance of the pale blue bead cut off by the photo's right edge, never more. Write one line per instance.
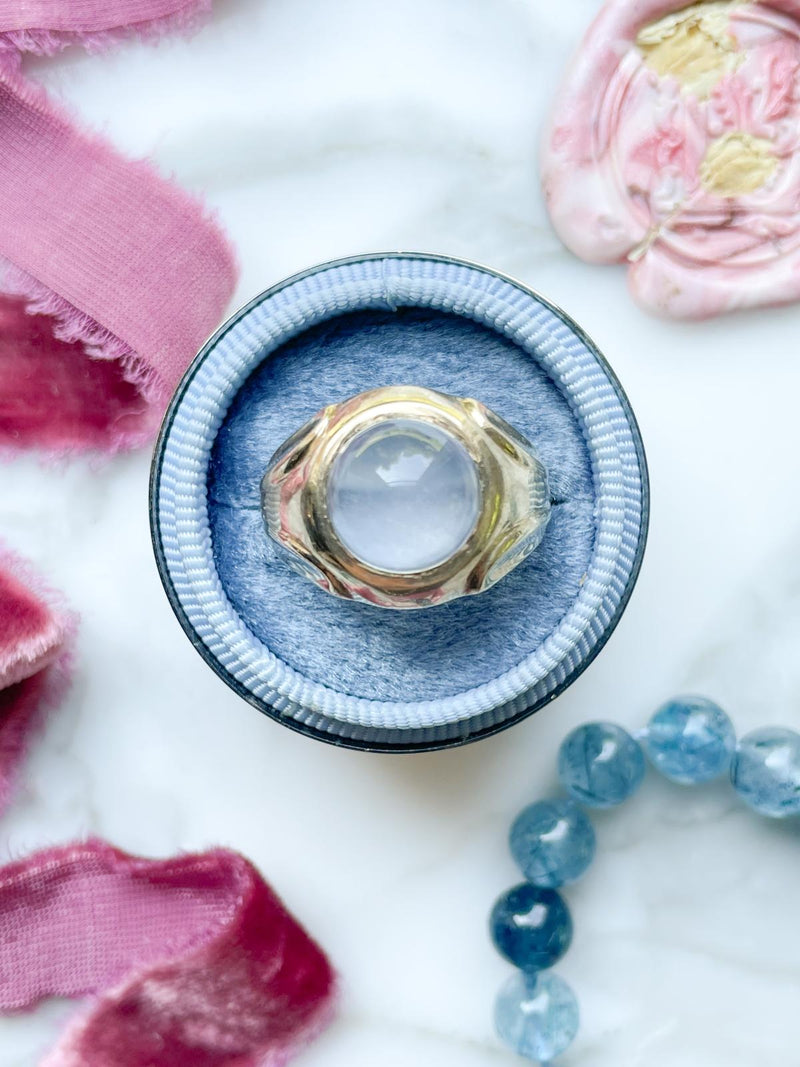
(766, 771)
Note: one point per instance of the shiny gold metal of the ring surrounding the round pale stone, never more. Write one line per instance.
(514, 499)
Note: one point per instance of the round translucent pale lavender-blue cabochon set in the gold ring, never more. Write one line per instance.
(404, 497)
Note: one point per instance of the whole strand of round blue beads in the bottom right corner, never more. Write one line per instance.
(690, 740)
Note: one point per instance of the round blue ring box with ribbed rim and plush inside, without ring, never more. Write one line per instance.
(353, 674)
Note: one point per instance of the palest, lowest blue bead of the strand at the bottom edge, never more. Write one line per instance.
(537, 1015)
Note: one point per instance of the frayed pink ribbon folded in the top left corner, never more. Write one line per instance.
(126, 268)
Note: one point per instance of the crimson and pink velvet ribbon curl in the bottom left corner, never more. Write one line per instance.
(195, 961)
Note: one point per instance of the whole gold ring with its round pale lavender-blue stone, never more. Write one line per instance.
(406, 498)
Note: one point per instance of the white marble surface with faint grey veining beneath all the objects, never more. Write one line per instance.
(321, 130)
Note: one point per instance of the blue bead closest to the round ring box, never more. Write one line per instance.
(601, 765)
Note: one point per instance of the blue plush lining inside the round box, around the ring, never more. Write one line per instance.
(357, 648)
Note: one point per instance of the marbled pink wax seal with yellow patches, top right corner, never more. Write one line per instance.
(675, 147)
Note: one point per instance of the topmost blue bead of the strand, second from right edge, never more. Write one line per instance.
(691, 740)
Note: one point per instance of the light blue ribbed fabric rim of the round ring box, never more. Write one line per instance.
(181, 520)
